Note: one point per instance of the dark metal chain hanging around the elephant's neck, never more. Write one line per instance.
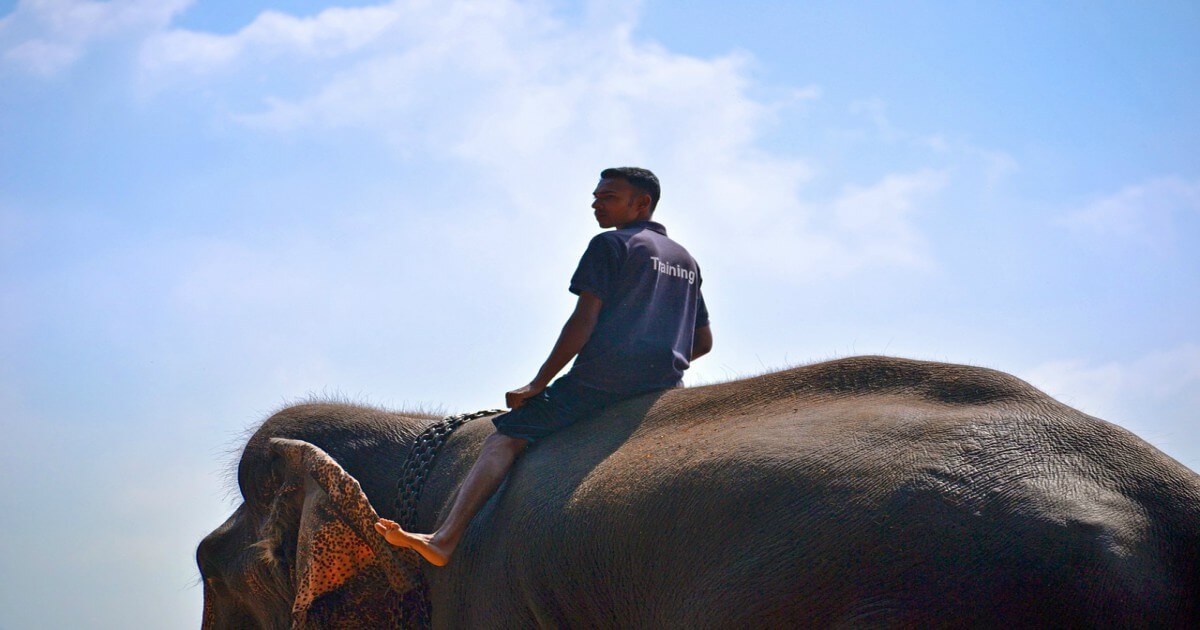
(409, 491)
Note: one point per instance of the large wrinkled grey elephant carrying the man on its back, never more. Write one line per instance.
(860, 493)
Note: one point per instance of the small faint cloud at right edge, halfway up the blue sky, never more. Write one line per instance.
(1147, 214)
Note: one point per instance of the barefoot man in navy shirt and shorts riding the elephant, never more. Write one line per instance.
(639, 322)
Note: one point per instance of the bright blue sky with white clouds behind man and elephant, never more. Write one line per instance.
(213, 209)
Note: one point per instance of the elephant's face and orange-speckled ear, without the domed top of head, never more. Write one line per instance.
(305, 553)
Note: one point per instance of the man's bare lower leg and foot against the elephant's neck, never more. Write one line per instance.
(489, 471)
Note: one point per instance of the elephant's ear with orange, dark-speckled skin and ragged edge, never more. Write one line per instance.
(345, 573)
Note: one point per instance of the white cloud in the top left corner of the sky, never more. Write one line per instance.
(47, 37)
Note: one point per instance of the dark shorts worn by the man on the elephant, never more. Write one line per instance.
(560, 406)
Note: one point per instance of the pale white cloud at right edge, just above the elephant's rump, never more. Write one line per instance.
(1156, 397)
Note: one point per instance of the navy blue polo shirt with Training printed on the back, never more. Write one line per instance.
(651, 309)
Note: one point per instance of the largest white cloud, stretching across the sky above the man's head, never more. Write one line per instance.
(513, 97)
